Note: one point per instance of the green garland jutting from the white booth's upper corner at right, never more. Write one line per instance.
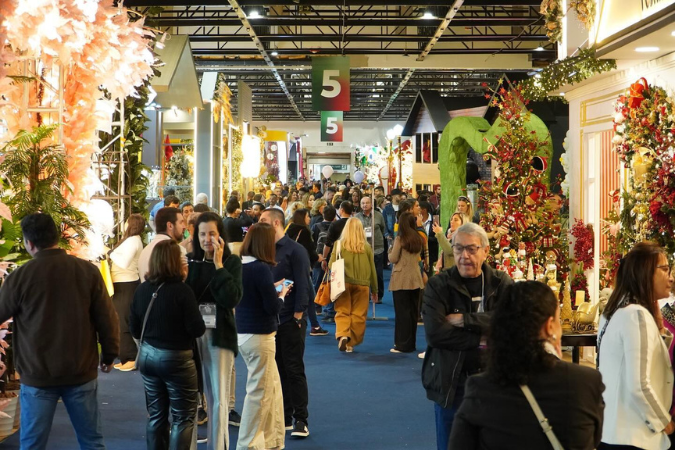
(570, 70)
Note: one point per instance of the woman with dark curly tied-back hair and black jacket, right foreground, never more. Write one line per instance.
(524, 350)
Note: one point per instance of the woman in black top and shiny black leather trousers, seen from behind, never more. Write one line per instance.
(166, 360)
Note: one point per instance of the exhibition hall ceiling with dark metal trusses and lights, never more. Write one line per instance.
(396, 47)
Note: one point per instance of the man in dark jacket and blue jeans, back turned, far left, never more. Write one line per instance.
(61, 310)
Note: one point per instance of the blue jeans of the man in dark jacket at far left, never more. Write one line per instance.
(37, 413)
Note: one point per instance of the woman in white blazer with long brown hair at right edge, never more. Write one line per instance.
(633, 354)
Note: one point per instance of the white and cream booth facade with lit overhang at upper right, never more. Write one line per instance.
(624, 32)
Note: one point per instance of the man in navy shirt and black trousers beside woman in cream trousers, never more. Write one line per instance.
(292, 264)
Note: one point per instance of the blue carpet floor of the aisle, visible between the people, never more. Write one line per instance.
(369, 399)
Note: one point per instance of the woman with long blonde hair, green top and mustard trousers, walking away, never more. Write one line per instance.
(351, 306)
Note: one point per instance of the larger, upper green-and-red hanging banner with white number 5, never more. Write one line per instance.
(330, 83)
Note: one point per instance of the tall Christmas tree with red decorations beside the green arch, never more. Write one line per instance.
(521, 212)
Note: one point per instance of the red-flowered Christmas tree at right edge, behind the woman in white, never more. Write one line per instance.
(644, 125)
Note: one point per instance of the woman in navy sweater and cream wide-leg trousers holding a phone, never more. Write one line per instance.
(262, 421)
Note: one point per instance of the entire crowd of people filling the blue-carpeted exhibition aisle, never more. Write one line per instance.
(208, 288)
